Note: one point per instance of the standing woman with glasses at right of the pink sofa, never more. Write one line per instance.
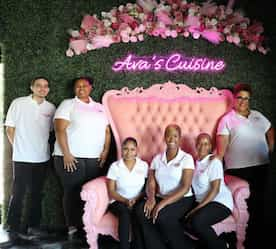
(245, 138)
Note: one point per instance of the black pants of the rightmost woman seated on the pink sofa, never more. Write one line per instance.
(200, 224)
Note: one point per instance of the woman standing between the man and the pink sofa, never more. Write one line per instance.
(81, 148)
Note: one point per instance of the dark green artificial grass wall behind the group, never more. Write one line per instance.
(34, 40)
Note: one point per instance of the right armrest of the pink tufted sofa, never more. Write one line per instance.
(240, 191)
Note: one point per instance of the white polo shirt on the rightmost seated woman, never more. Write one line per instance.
(205, 172)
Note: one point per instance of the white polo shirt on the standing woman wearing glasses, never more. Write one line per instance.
(248, 146)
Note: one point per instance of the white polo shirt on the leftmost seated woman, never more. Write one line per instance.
(129, 184)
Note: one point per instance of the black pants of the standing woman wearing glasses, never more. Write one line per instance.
(256, 177)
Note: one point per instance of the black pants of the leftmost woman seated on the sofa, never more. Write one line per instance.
(127, 220)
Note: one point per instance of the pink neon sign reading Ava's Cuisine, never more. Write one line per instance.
(171, 63)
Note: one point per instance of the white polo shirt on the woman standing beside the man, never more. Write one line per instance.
(86, 131)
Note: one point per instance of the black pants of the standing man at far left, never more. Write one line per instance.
(26, 176)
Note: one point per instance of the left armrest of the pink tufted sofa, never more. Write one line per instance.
(96, 198)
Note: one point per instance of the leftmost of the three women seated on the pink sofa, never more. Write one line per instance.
(126, 180)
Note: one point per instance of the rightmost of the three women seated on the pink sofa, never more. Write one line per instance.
(214, 199)
